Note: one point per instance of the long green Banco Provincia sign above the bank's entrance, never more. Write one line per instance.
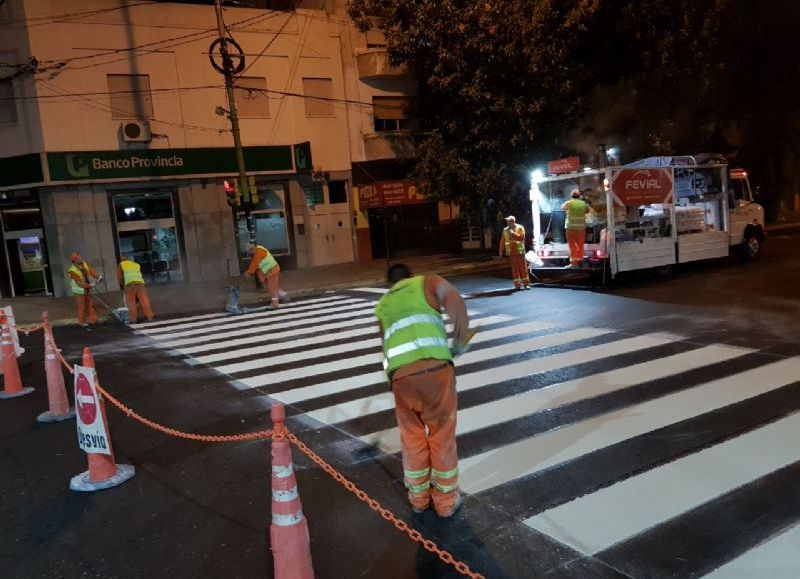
(155, 163)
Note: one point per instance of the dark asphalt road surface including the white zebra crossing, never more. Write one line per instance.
(645, 431)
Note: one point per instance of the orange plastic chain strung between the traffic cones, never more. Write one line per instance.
(385, 513)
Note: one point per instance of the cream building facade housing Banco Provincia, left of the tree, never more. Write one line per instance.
(115, 139)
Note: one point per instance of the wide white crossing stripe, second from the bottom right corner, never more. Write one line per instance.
(592, 523)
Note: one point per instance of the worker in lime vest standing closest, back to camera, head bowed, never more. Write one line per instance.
(419, 365)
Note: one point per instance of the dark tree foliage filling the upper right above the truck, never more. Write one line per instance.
(504, 84)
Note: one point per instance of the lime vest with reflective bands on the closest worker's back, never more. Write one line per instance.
(413, 330)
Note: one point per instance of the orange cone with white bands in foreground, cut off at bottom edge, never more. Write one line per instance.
(291, 551)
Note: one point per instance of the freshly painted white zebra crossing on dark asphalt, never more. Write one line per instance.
(603, 441)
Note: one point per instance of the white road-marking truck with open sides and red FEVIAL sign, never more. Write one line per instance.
(650, 214)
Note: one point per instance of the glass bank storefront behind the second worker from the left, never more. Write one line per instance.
(147, 232)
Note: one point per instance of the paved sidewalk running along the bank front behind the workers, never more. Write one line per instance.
(170, 300)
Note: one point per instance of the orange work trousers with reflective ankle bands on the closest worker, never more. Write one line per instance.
(425, 406)
